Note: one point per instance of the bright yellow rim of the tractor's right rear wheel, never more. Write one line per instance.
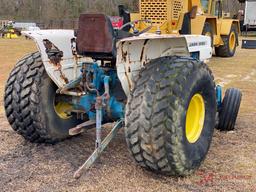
(195, 118)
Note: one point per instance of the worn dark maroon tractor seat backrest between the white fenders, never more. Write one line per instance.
(96, 37)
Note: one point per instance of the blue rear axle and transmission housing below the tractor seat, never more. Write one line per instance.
(102, 81)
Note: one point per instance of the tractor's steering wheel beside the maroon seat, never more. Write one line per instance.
(136, 32)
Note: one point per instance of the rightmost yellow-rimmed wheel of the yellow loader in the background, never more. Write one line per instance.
(230, 44)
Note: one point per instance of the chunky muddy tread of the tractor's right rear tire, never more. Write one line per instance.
(148, 144)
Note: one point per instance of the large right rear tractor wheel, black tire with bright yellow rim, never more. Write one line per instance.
(159, 115)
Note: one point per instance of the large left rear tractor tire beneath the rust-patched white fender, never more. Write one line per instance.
(29, 103)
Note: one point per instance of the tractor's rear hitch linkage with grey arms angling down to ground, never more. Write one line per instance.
(101, 103)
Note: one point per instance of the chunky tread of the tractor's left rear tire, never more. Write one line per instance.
(22, 98)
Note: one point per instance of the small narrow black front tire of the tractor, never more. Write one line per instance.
(229, 109)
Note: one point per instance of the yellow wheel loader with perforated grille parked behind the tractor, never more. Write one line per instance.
(201, 17)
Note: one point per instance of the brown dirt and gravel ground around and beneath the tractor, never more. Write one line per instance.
(230, 164)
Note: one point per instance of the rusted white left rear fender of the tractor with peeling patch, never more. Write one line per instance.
(58, 53)
